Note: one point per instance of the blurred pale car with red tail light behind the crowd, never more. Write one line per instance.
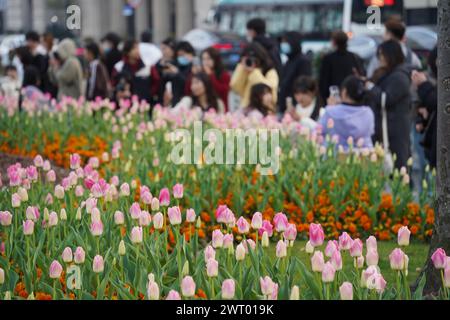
(229, 45)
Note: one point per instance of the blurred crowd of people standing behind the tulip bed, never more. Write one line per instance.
(346, 98)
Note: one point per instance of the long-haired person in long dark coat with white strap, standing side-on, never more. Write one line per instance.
(393, 78)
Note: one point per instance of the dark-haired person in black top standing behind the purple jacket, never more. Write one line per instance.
(338, 65)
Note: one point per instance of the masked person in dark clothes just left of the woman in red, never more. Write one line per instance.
(180, 73)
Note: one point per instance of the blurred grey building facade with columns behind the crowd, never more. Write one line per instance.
(162, 18)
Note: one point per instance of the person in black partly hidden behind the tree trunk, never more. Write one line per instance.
(426, 121)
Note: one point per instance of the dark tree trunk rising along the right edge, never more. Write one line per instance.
(441, 232)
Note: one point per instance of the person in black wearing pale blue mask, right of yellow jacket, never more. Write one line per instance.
(296, 66)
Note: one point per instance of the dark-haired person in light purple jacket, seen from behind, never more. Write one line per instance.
(351, 117)
